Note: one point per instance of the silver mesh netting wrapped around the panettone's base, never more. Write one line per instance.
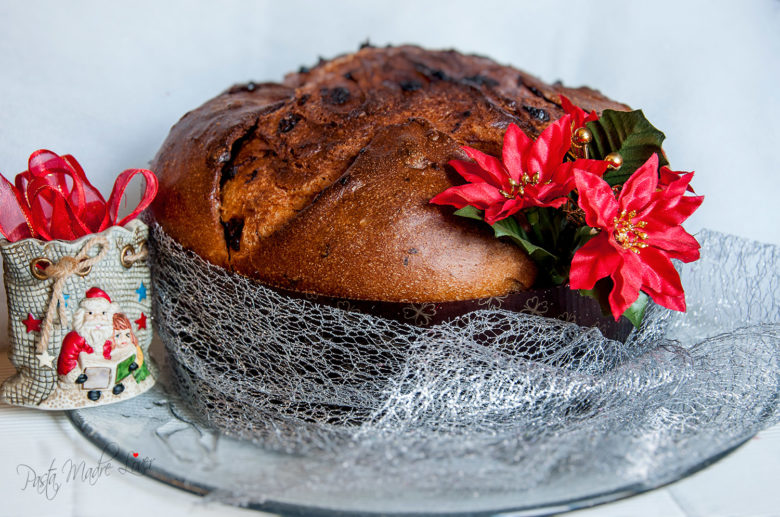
(478, 399)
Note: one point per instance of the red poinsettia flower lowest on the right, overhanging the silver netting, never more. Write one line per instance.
(640, 233)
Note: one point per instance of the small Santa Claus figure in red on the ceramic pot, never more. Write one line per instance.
(92, 334)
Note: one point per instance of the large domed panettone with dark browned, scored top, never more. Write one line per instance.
(322, 183)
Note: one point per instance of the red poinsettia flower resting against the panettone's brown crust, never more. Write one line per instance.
(531, 173)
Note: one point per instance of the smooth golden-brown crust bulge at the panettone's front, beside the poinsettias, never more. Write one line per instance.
(416, 251)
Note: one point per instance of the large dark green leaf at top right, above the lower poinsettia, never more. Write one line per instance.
(629, 134)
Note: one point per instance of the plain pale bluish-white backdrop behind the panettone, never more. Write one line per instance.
(105, 81)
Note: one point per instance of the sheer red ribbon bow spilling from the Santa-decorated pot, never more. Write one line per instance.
(53, 199)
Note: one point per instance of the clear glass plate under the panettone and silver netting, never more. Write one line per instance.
(156, 435)
